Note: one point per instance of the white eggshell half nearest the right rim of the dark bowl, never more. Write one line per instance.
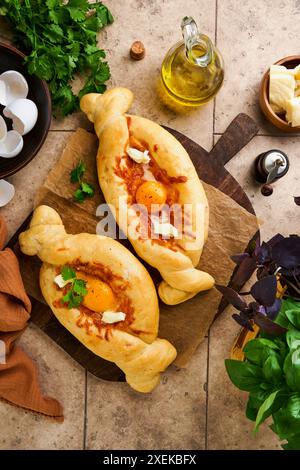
(23, 113)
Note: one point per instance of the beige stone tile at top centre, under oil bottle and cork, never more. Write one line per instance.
(157, 24)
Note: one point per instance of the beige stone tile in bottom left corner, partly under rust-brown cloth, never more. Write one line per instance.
(62, 378)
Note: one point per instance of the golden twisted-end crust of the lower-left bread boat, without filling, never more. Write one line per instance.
(137, 351)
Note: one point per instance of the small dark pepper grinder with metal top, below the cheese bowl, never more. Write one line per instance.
(269, 167)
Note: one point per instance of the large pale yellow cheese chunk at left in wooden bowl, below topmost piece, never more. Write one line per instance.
(281, 89)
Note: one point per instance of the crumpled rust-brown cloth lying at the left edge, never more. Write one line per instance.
(19, 383)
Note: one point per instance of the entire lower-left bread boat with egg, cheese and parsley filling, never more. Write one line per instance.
(102, 294)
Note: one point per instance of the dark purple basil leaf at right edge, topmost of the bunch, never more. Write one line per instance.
(286, 253)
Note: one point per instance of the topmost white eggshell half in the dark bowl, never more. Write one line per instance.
(12, 87)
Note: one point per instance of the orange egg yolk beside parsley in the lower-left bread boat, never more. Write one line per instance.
(100, 296)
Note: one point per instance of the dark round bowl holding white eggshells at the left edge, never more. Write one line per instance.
(12, 59)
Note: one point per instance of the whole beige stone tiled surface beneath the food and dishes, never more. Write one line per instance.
(195, 408)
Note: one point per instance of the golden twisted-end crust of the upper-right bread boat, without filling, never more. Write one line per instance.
(181, 280)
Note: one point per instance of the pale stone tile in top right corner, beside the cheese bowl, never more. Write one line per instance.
(252, 35)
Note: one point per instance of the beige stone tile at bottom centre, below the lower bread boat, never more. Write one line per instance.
(171, 417)
